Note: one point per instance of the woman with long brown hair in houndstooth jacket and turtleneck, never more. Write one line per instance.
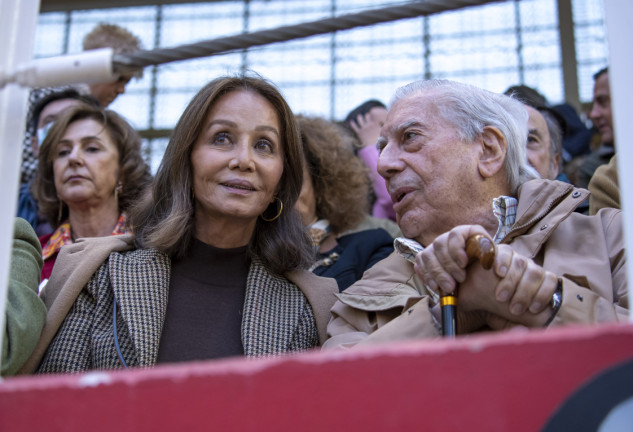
(219, 252)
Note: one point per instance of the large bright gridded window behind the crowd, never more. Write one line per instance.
(493, 46)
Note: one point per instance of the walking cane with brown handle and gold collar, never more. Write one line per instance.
(477, 247)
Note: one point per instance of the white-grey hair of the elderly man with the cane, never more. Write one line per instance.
(470, 109)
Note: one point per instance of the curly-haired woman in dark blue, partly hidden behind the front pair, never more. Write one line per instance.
(334, 205)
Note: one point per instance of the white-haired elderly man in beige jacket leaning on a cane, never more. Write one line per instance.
(454, 161)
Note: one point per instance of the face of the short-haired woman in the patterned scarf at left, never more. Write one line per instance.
(85, 164)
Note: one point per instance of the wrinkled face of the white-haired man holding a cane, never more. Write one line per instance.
(429, 171)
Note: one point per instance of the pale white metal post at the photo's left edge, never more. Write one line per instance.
(18, 19)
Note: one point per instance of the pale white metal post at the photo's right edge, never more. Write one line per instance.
(618, 17)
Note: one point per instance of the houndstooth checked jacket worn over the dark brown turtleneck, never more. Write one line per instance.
(278, 317)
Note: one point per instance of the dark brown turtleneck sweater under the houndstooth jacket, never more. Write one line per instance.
(204, 308)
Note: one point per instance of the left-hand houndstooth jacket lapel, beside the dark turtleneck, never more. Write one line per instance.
(140, 282)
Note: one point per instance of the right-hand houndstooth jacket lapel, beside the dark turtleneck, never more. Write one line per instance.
(272, 309)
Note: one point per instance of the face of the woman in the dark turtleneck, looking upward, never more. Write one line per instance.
(237, 160)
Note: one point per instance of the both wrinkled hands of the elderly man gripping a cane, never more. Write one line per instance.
(516, 289)
